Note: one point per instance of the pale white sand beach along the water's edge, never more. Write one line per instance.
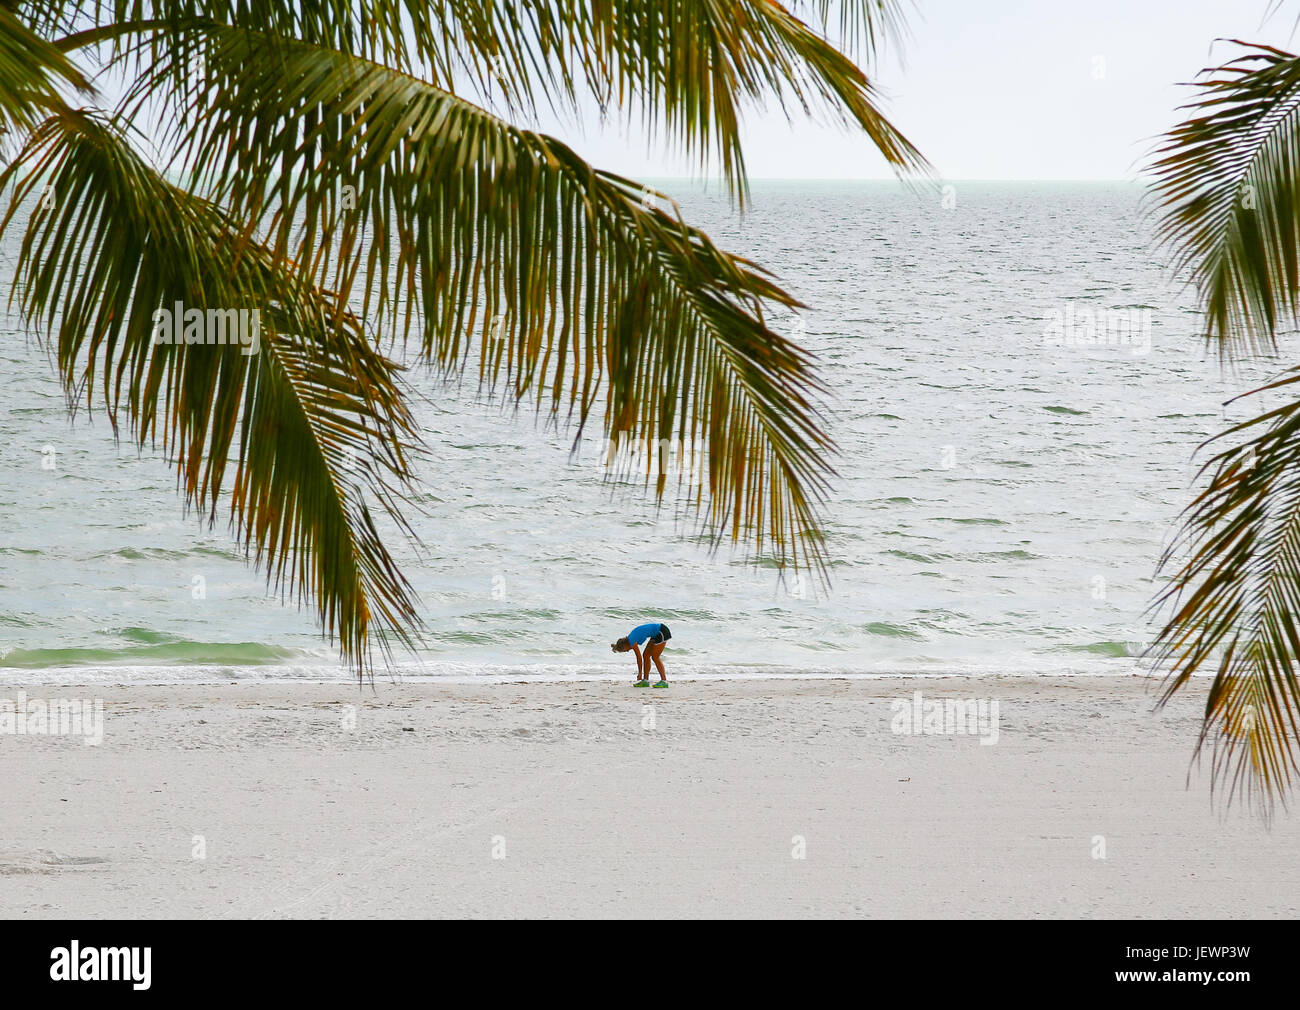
(562, 800)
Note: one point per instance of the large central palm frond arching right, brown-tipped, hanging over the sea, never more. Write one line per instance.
(573, 287)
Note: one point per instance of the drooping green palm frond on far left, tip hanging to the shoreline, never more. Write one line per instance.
(311, 415)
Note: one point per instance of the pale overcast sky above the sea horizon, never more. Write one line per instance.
(1003, 90)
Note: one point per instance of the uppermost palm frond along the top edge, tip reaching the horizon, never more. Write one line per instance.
(690, 66)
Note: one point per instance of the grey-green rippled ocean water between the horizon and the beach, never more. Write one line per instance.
(1003, 495)
